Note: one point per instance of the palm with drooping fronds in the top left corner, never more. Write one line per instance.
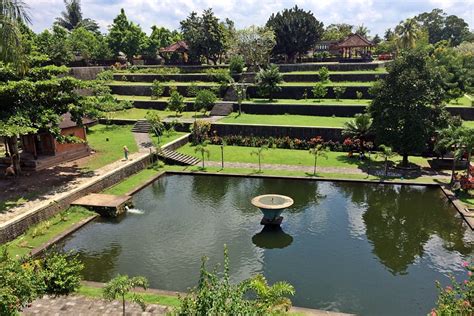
(12, 13)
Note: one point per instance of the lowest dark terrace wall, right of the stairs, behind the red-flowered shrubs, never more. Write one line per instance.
(301, 132)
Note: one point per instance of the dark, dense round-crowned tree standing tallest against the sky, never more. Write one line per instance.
(296, 32)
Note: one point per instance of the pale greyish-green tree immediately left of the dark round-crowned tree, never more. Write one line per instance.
(255, 44)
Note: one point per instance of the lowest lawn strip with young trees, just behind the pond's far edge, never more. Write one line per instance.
(290, 157)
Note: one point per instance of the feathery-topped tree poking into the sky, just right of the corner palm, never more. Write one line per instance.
(71, 18)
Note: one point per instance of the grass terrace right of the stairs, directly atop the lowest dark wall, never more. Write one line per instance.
(286, 119)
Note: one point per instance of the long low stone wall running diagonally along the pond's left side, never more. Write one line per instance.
(12, 229)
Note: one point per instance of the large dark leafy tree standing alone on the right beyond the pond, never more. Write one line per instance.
(408, 104)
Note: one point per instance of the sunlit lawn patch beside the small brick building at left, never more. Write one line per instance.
(107, 142)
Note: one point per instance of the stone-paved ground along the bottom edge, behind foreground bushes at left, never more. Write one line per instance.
(78, 305)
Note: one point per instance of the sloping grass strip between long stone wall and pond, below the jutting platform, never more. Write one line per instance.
(44, 231)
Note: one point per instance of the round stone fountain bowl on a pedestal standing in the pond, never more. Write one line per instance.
(272, 205)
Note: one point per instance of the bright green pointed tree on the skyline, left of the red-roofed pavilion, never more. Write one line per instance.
(126, 37)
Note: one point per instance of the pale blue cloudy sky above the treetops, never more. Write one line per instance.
(377, 15)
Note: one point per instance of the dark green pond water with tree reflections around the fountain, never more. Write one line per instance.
(369, 249)
